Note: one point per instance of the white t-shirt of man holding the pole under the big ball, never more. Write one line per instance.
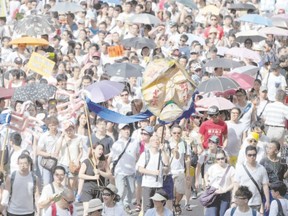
(150, 180)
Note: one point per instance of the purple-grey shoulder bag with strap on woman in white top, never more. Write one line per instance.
(209, 195)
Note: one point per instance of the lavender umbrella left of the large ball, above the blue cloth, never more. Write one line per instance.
(104, 90)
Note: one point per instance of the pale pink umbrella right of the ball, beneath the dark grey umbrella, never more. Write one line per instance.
(220, 102)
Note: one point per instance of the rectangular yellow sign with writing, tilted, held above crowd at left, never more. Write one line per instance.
(40, 64)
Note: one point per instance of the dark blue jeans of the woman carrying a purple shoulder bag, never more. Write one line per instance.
(220, 205)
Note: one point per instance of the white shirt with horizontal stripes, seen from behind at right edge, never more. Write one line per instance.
(276, 114)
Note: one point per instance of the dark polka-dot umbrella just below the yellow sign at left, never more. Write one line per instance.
(33, 92)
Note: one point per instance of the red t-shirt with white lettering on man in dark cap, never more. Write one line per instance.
(209, 128)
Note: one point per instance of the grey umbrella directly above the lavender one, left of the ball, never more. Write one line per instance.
(124, 70)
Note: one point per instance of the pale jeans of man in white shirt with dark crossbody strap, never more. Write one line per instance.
(126, 188)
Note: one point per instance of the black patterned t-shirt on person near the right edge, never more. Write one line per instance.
(275, 170)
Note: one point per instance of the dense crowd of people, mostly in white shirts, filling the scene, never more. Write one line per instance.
(54, 152)
